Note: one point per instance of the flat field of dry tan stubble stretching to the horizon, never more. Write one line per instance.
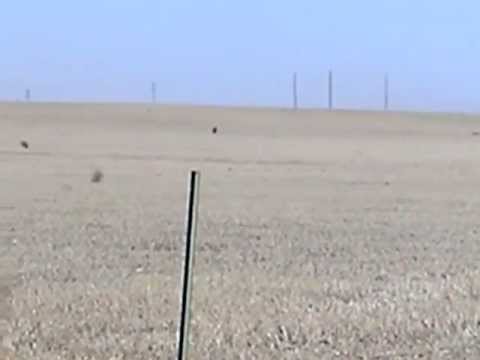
(341, 235)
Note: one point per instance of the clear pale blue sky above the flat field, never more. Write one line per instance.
(244, 52)
